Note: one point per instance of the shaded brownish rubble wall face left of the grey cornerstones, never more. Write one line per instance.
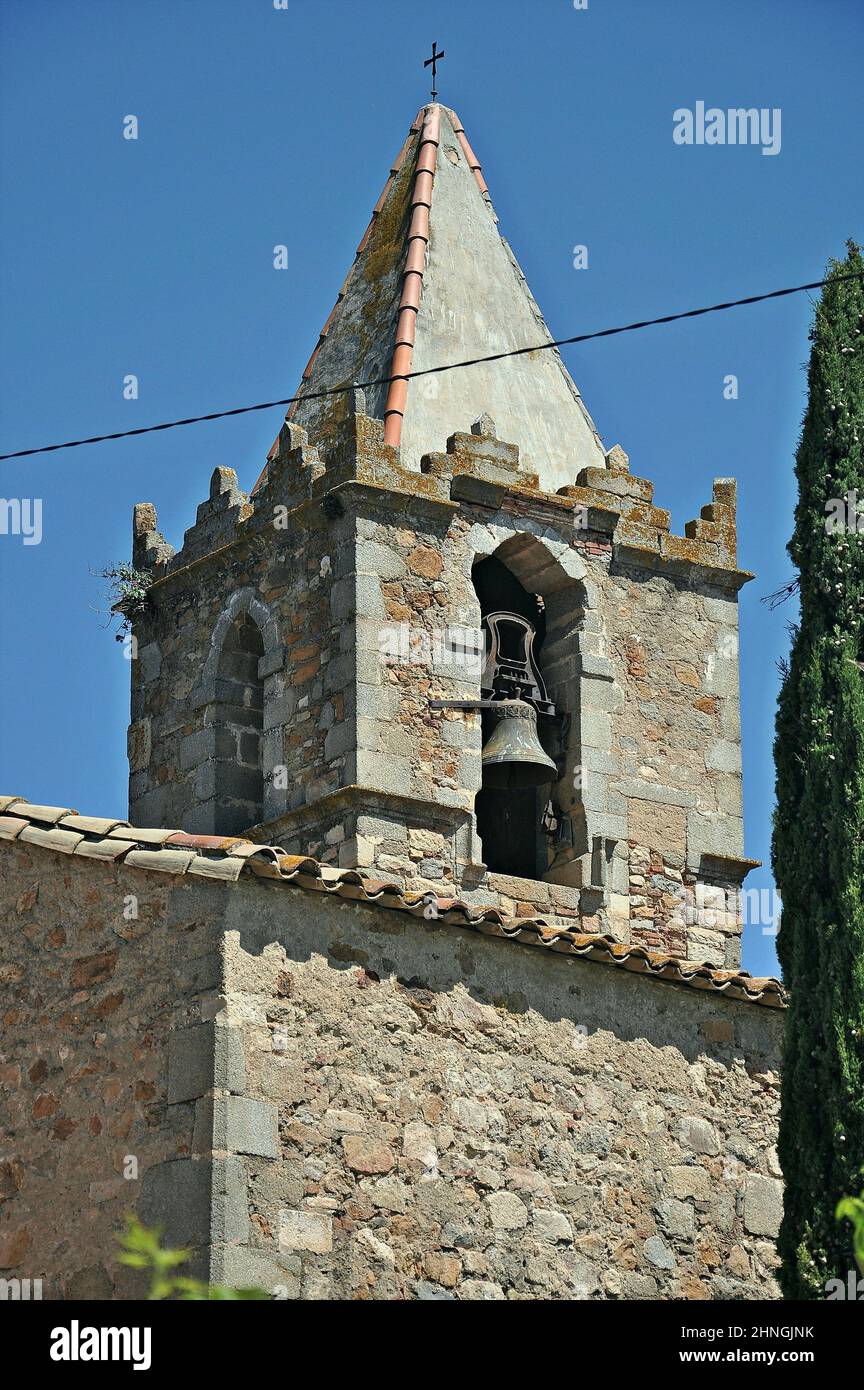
(90, 997)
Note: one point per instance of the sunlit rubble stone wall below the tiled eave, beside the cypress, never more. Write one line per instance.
(459, 1118)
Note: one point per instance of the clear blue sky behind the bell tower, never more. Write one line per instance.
(263, 127)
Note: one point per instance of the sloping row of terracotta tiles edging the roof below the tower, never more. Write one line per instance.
(217, 857)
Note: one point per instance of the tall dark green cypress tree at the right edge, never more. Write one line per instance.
(819, 824)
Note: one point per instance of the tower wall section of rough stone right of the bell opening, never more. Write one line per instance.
(676, 746)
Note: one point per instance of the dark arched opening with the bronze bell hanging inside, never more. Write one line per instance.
(520, 739)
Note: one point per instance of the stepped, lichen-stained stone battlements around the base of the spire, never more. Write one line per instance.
(476, 468)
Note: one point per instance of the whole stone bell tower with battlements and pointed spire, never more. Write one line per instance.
(322, 662)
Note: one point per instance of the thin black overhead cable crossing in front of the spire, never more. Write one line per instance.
(431, 372)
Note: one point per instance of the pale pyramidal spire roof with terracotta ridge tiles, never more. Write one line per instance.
(434, 283)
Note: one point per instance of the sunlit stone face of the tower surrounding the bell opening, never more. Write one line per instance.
(647, 667)
